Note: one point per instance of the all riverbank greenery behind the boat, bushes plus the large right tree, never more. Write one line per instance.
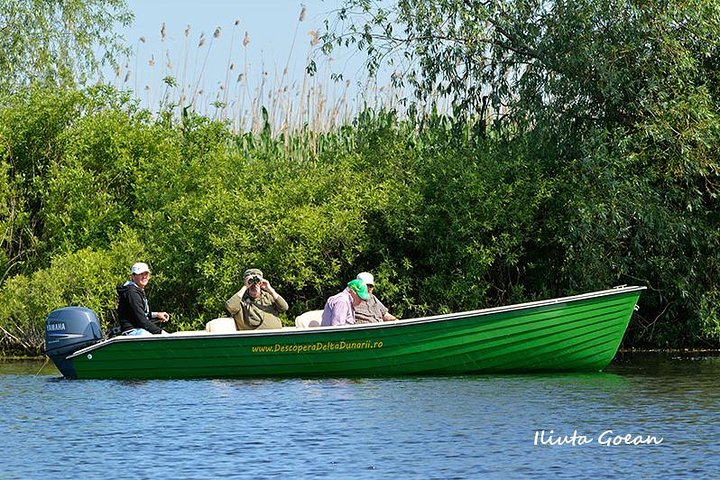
(581, 153)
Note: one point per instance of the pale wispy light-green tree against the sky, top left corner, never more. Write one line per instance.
(58, 41)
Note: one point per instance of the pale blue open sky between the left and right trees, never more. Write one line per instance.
(229, 44)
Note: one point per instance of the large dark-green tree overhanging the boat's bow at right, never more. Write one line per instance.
(618, 102)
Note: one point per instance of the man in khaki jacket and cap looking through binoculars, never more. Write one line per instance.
(257, 304)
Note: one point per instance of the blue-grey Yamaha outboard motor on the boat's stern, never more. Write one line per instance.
(68, 330)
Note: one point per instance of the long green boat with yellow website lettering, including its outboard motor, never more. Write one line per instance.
(576, 333)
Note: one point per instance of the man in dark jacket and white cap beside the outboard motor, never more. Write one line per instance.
(133, 308)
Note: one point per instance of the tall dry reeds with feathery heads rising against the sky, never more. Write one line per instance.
(250, 95)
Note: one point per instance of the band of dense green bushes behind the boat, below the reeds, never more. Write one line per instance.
(445, 219)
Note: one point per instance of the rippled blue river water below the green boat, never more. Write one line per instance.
(411, 428)
